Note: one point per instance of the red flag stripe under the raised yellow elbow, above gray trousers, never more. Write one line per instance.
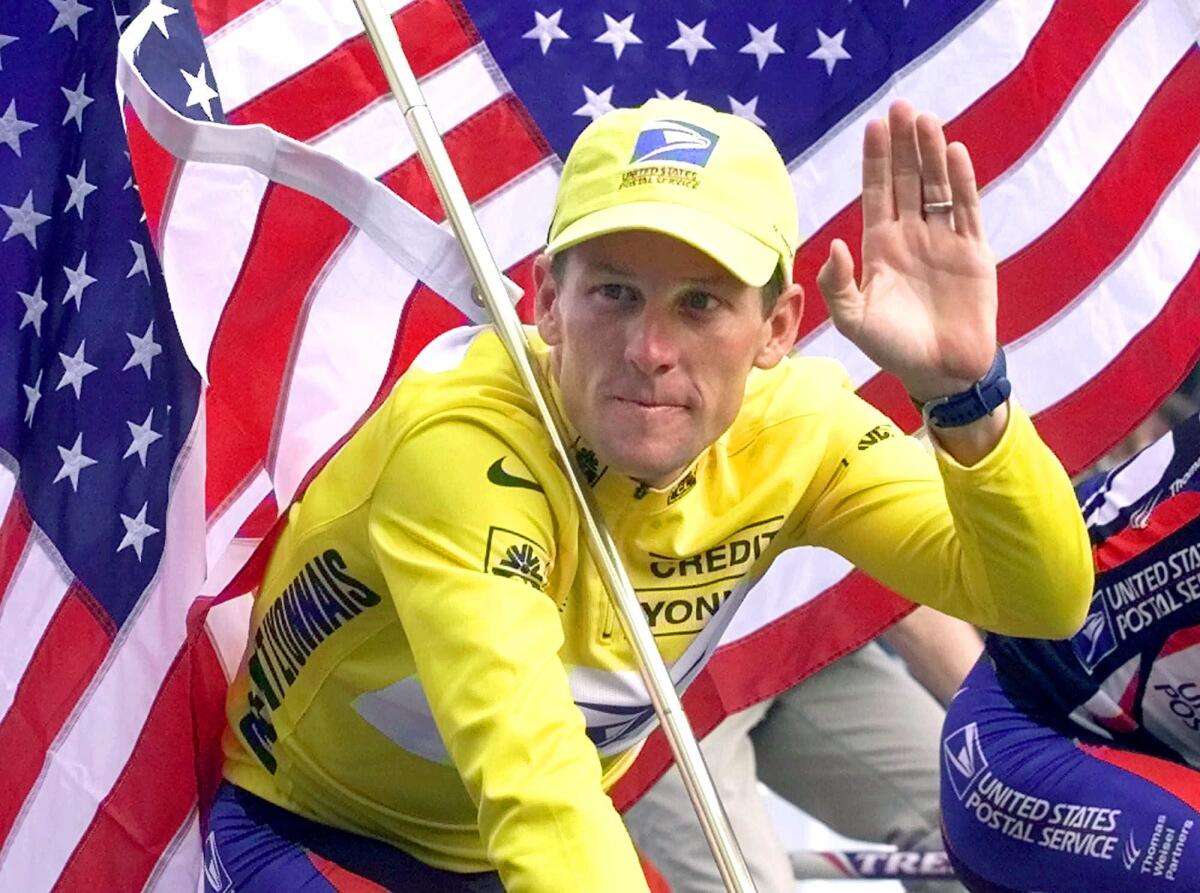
(835, 624)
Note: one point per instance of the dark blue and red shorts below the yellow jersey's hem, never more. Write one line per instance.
(254, 847)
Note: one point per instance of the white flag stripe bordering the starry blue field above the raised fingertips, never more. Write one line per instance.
(947, 82)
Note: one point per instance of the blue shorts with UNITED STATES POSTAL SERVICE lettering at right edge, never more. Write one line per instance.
(1027, 808)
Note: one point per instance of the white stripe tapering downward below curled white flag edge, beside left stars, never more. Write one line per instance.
(207, 232)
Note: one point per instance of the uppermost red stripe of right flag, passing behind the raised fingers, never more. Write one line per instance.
(1001, 127)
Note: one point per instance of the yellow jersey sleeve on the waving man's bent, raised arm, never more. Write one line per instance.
(1000, 544)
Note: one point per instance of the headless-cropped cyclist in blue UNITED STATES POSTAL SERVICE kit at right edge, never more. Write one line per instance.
(1076, 765)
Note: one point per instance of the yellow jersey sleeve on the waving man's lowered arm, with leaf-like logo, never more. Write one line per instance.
(487, 638)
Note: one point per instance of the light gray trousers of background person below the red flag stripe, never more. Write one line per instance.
(855, 746)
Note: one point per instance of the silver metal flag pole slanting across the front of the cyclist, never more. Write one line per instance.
(490, 284)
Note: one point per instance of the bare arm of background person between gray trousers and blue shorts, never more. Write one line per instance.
(938, 649)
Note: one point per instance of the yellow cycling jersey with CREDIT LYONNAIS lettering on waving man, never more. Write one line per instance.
(434, 661)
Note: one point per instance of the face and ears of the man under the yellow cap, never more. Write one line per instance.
(652, 344)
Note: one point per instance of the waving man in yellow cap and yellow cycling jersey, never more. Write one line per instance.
(437, 693)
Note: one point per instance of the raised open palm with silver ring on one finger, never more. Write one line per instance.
(926, 309)
